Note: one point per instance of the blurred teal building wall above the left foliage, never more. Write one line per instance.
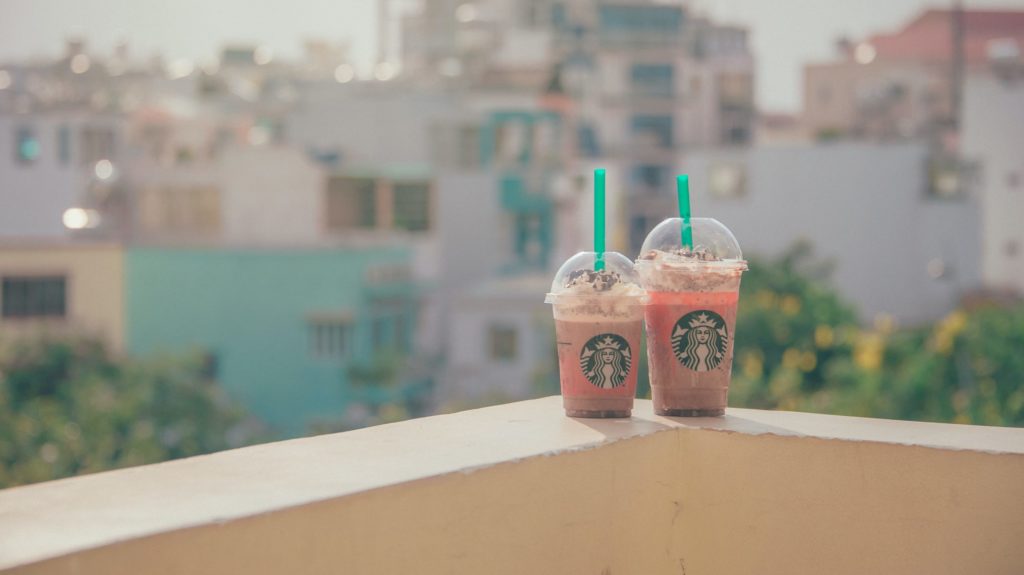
(251, 311)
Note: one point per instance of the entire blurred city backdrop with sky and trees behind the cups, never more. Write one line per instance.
(224, 224)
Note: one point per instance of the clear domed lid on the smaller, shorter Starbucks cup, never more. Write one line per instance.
(578, 278)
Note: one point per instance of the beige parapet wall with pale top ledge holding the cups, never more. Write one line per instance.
(520, 489)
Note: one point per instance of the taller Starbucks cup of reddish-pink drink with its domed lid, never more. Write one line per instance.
(692, 315)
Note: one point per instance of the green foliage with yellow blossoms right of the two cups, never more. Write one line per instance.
(800, 347)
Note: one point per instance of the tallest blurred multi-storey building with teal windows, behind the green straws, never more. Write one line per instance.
(642, 82)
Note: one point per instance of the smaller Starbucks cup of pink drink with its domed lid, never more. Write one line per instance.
(599, 318)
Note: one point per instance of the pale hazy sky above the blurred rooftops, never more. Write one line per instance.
(786, 34)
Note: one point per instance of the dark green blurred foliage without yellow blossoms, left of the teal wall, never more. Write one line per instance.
(67, 408)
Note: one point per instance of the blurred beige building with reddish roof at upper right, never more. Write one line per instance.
(908, 84)
